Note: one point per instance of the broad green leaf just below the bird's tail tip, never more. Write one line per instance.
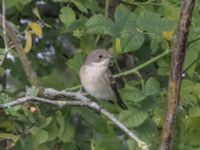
(133, 117)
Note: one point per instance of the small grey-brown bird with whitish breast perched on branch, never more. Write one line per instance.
(97, 79)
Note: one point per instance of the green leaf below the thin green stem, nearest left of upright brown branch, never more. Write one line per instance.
(152, 86)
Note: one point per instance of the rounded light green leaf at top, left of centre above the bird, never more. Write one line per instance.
(67, 16)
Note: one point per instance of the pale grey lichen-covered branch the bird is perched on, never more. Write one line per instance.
(76, 99)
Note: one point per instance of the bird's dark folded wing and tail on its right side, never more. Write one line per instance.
(112, 84)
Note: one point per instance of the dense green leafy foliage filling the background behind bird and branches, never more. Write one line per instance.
(57, 35)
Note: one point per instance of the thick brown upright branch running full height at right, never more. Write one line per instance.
(178, 54)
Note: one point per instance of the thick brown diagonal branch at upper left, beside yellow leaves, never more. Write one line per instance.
(12, 35)
